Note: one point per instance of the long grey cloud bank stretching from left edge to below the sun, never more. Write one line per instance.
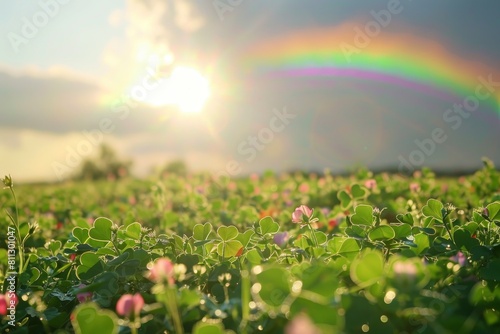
(58, 101)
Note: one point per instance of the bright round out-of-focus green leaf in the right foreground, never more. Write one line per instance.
(367, 268)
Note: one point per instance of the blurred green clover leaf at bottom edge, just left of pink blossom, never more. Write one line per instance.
(90, 319)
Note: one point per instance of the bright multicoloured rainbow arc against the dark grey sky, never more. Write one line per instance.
(405, 60)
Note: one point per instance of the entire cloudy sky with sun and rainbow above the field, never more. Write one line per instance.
(242, 86)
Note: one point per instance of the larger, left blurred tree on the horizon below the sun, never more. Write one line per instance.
(106, 165)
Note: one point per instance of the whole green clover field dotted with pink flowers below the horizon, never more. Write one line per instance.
(186, 253)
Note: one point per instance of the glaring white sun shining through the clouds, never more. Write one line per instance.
(185, 88)
